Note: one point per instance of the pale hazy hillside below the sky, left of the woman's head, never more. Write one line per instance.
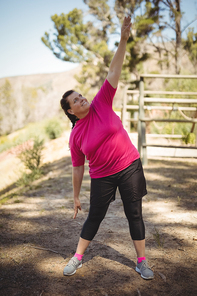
(32, 98)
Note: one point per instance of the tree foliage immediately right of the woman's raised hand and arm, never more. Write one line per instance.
(145, 17)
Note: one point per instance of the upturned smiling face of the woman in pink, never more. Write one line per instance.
(79, 105)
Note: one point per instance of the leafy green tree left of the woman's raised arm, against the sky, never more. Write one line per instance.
(75, 41)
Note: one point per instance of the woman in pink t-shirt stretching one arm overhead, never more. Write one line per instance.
(114, 162)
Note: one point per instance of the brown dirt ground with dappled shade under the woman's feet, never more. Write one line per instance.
(38, 235)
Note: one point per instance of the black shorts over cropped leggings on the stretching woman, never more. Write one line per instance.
(132, 187)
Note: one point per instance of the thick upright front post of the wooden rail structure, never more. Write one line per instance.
(141, 124)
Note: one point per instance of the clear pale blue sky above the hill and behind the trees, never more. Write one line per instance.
(24, 22)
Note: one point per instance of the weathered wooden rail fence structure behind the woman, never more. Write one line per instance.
(142, 106)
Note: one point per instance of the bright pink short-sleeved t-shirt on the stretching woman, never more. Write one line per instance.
(100, 137)
